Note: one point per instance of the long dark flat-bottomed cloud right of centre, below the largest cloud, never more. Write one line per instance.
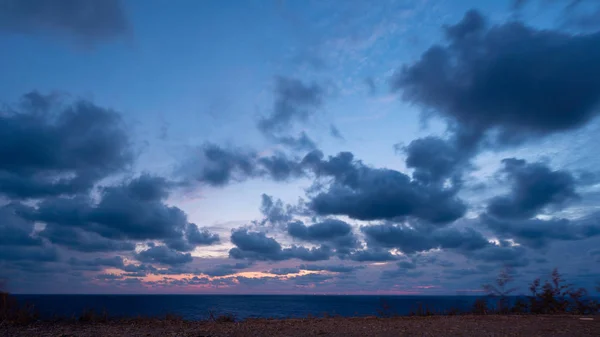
(365, 193)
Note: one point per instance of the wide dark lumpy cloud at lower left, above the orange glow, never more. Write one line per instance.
(130, 211)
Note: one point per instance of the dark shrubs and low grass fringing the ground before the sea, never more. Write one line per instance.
(552, 297)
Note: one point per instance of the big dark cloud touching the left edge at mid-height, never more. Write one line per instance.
(52, 149)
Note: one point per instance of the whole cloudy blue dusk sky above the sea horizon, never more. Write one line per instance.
(297, 147)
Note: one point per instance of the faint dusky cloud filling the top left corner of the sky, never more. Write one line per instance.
(85, 20)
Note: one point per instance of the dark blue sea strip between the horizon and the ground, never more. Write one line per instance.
(196, 307)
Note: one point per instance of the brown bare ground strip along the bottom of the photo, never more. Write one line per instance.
(571, 326)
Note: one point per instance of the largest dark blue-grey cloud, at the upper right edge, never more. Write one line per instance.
(493, 82)
